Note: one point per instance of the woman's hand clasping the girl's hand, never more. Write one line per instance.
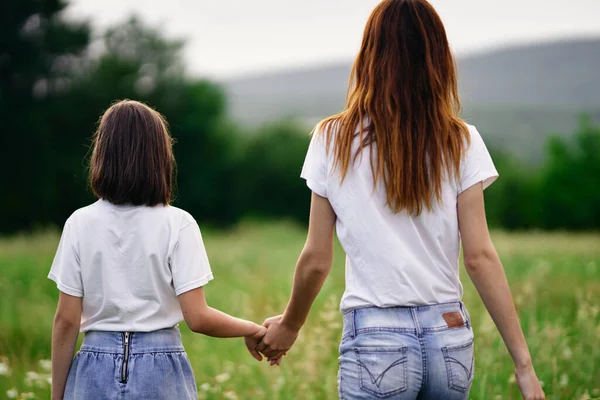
(278, 340)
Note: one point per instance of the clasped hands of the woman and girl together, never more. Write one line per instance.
(274, 343)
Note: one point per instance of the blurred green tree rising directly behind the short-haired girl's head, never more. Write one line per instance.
(139, 63)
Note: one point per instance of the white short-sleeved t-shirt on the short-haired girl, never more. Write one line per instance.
(129, 263)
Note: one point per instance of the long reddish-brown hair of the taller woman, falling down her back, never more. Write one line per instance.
(404, 84)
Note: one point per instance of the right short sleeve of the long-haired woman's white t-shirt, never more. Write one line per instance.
(477, 165)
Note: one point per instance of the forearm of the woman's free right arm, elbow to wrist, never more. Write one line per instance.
(490, 281)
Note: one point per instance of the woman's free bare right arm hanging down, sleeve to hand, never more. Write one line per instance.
(485, 270)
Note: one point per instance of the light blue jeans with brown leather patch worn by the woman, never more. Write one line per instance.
(407, 353)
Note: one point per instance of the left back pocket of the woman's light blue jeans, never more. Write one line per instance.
(382, 370)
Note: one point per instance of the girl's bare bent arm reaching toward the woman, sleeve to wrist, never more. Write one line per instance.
(201, 318)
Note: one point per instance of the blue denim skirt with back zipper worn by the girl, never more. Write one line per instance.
(131, 365)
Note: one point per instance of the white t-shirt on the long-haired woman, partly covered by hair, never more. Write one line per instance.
(395, 259)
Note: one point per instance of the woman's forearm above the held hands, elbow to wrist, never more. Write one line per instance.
(311, 272)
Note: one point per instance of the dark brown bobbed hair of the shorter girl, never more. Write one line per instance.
(132, 159)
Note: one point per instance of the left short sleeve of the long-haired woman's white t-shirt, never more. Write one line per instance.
(314, 170)
